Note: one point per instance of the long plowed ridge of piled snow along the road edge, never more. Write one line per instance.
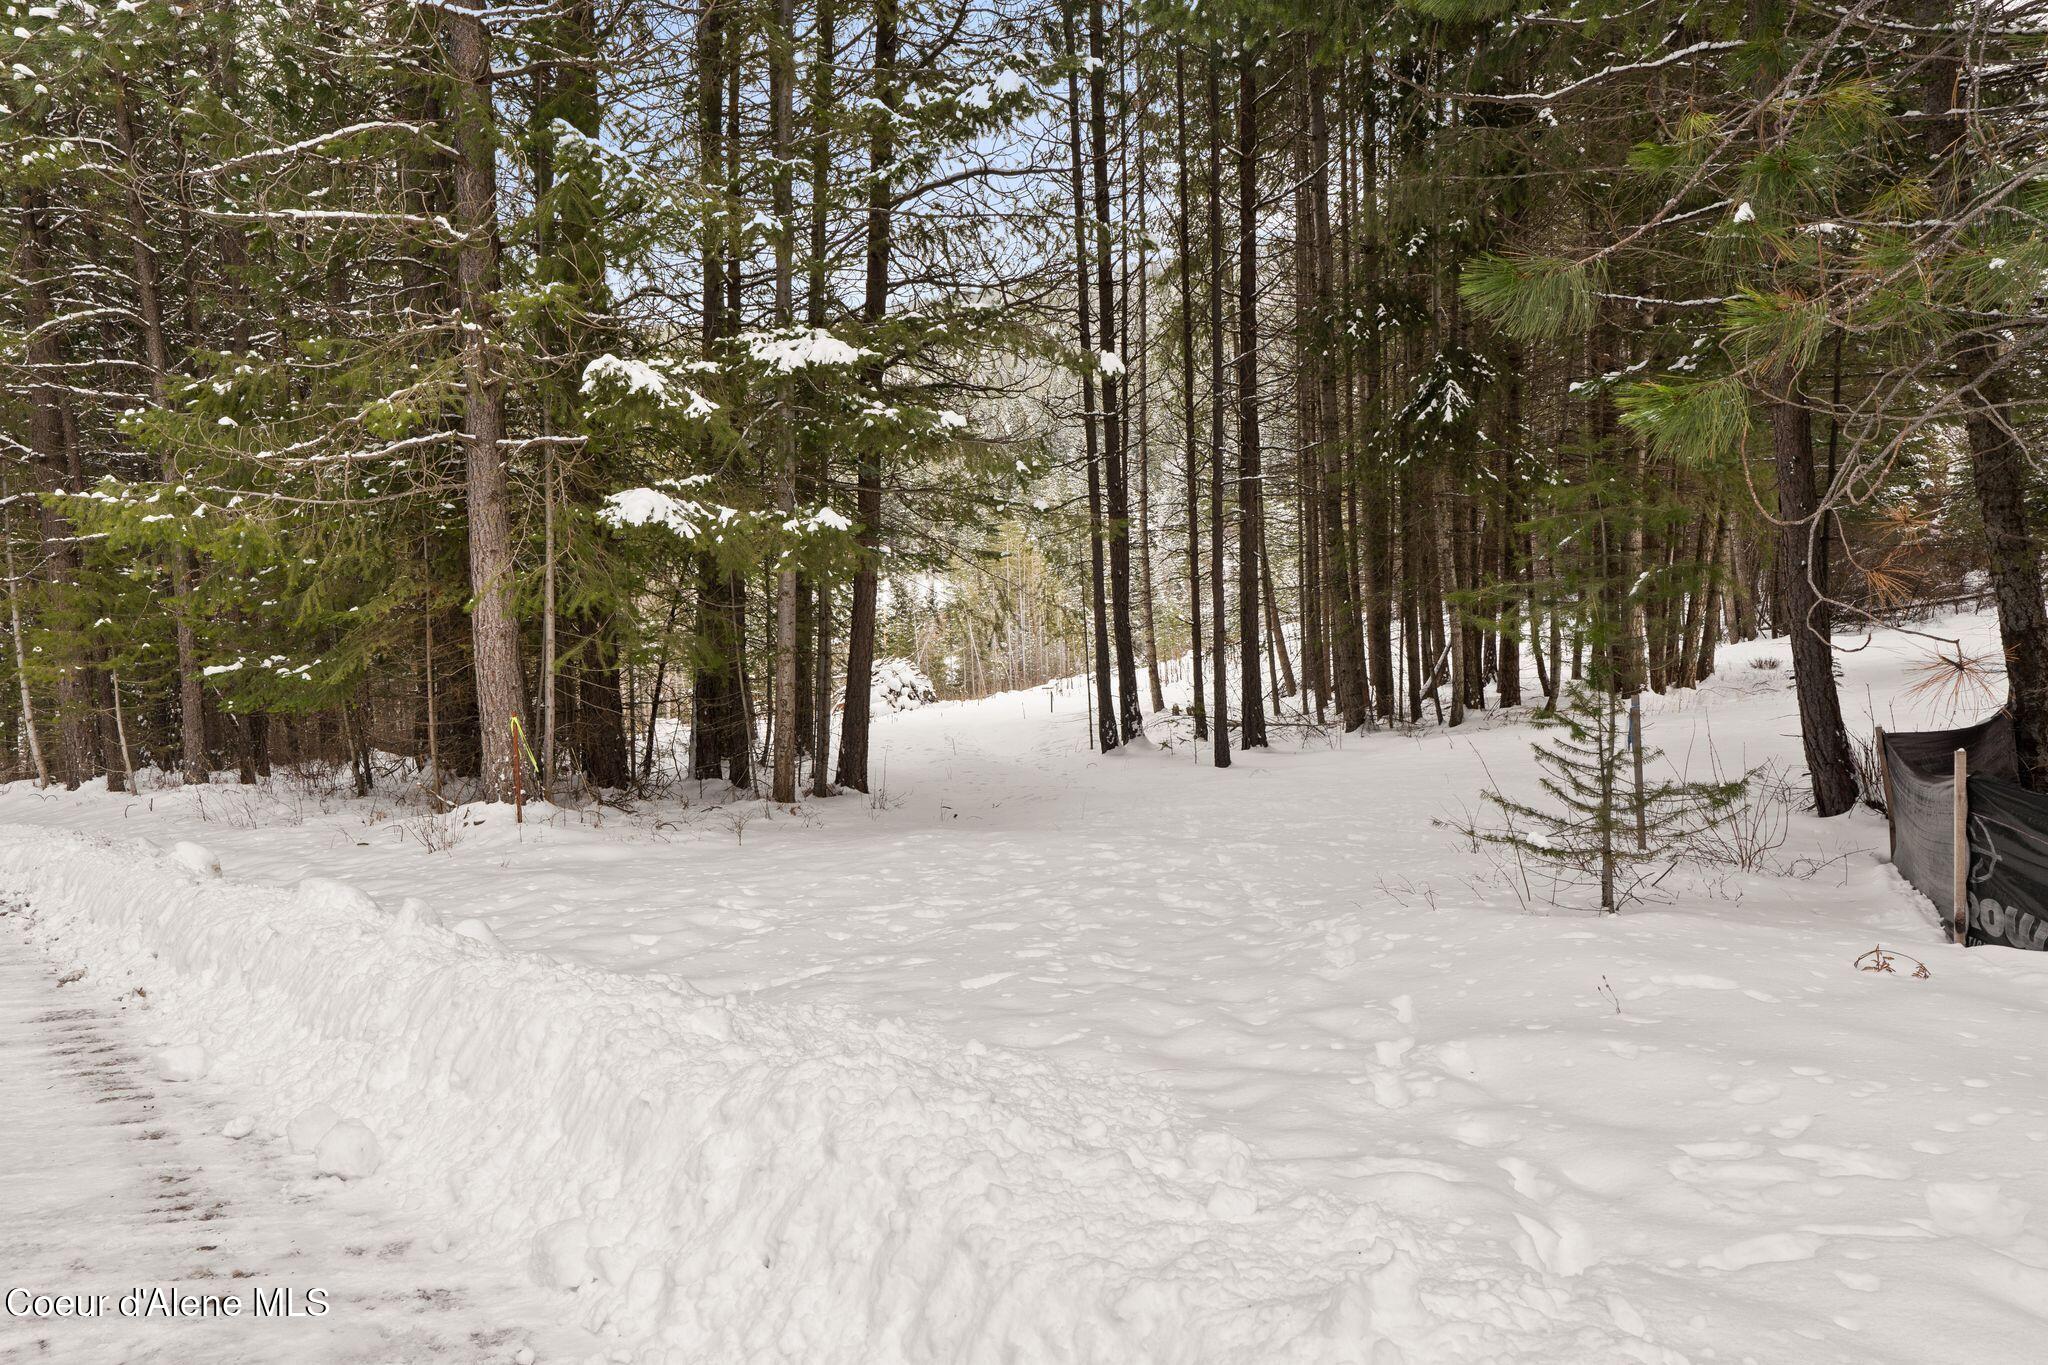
(753, 1182)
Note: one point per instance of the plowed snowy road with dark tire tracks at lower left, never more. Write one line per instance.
(116, 1180)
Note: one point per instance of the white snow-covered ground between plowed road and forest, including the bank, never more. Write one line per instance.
(1054, 1057)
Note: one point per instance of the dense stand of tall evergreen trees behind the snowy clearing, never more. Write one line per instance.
(507, 392)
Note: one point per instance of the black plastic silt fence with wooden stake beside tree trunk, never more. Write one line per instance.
(1967, 836)
